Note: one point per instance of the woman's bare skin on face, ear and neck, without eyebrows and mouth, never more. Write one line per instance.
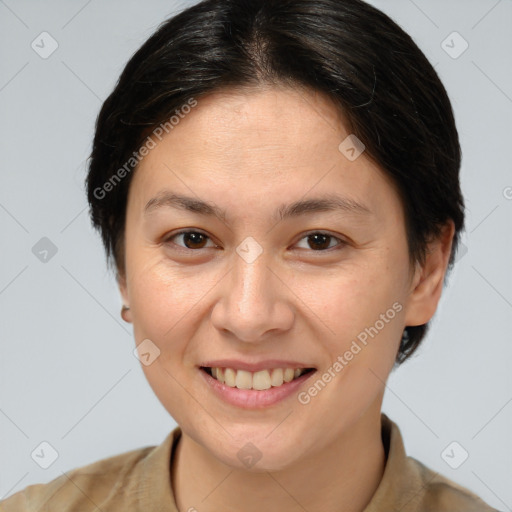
(294, 302)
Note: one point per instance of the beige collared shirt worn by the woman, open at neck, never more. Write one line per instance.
(140, 481)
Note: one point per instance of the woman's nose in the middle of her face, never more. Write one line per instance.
(254, 302)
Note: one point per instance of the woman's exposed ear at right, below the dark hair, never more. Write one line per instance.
(427, 282)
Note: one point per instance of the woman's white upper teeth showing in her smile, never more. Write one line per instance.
(263, 379)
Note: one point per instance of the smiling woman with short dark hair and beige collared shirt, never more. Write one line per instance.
(276, 185)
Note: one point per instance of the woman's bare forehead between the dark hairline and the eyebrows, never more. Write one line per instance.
(255, 144)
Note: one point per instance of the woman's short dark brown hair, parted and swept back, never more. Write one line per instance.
(387, 91)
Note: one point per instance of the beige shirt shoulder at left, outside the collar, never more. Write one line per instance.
(113, 481)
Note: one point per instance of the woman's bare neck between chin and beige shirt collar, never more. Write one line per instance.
(342, 477)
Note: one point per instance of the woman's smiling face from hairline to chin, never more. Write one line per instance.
(252, 284)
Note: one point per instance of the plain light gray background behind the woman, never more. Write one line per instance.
(68, 375)
